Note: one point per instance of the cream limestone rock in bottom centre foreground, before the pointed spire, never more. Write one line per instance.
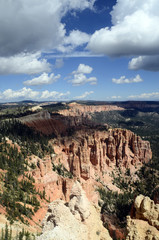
(60, 224)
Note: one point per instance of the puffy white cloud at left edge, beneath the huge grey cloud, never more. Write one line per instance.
(24, 63)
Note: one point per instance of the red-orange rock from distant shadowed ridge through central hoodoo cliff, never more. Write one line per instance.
(88, 153)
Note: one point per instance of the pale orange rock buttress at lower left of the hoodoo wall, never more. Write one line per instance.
(54, 185)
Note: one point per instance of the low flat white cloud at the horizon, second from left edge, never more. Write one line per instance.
(54, 95)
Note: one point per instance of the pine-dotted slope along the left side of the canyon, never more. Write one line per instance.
(15, 194)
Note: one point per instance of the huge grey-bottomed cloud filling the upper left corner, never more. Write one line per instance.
(33, 25)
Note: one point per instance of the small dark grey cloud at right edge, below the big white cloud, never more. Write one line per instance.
(149, 63)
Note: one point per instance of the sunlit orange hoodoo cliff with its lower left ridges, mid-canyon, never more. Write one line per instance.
(89, 157)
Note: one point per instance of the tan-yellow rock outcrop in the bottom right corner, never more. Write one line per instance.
(145, 222)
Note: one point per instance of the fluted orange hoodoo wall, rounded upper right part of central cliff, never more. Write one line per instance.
(91, 154)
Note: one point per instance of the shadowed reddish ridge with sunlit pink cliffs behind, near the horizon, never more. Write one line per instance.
(62, 121)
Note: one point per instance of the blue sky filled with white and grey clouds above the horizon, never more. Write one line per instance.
(62, 50)
